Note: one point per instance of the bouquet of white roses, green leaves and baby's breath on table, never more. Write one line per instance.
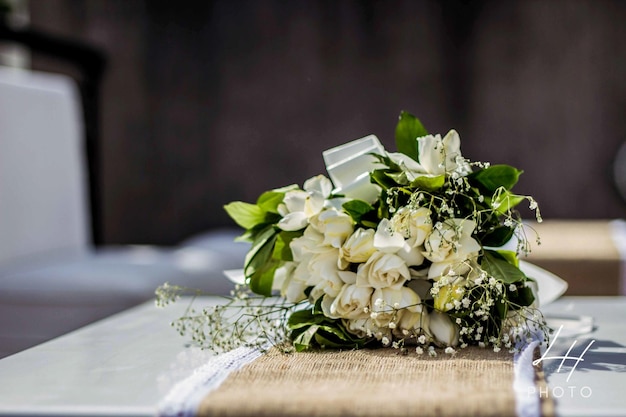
(395, 249)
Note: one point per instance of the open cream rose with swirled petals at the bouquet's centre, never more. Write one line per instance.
(383, 270)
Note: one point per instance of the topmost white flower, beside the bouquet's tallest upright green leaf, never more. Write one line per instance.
(439, 156)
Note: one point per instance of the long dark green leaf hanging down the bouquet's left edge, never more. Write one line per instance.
(256, 261)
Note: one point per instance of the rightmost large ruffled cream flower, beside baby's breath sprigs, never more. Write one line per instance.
(449, 245)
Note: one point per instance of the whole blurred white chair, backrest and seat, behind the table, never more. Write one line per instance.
(53, 279)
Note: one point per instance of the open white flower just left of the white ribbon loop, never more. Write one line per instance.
(299, 206)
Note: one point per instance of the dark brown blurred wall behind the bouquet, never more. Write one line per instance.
(207, 102)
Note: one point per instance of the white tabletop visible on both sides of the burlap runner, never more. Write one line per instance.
(125, 364)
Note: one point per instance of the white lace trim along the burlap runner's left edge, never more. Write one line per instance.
(183, 399)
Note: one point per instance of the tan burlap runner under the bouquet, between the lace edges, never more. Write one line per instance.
(377, 382)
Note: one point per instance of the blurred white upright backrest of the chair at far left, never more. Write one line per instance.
(43, 184)
